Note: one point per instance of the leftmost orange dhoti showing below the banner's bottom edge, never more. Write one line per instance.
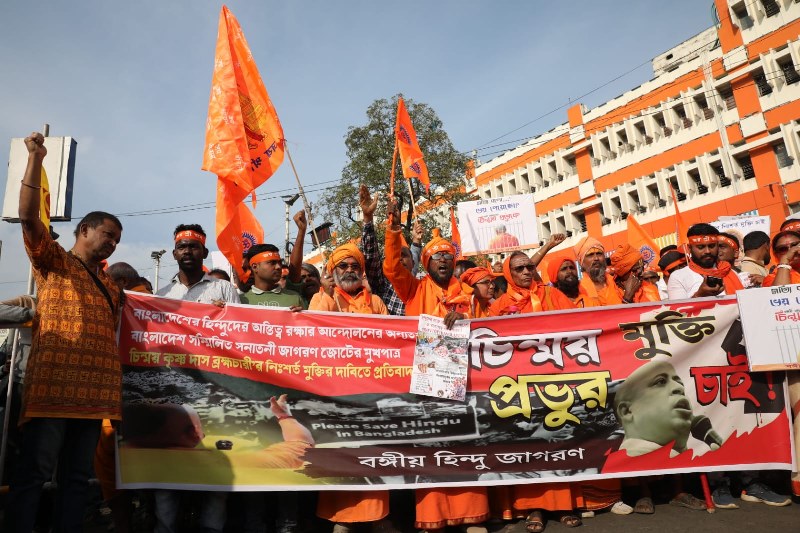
(353, 506)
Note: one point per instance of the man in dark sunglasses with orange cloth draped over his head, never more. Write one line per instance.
(525, 294)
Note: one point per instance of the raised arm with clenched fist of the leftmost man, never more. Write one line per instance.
(31, 189)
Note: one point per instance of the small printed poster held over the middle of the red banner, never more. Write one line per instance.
(440, 359)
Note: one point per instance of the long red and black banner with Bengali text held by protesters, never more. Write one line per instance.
(561, 396)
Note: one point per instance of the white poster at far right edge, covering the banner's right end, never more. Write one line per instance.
(771, 323)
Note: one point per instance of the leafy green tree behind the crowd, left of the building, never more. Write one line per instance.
(369, 151)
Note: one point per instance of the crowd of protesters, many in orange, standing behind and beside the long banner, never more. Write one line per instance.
(62, 425)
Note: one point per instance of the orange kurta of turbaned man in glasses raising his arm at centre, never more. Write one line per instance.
(420, 295)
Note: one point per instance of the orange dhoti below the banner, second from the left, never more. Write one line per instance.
(453, 506)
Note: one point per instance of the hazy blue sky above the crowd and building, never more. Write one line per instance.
(130, 82)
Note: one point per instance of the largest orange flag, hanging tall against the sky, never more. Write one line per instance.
(244, 138)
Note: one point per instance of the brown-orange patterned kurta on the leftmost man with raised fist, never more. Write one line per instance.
(74, 368)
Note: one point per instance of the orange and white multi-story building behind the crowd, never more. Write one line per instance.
(719, 122)
